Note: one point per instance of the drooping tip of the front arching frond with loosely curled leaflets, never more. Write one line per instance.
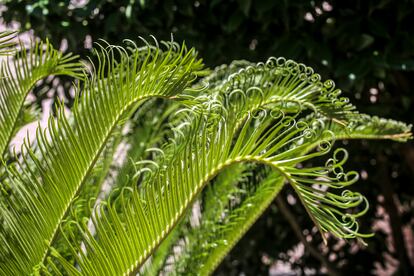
(329, 210)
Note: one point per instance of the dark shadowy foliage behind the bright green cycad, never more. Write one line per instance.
(366, 47)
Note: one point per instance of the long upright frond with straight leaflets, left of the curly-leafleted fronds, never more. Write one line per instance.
(65, 160)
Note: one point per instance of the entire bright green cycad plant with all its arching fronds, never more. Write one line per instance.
(261, 122)
